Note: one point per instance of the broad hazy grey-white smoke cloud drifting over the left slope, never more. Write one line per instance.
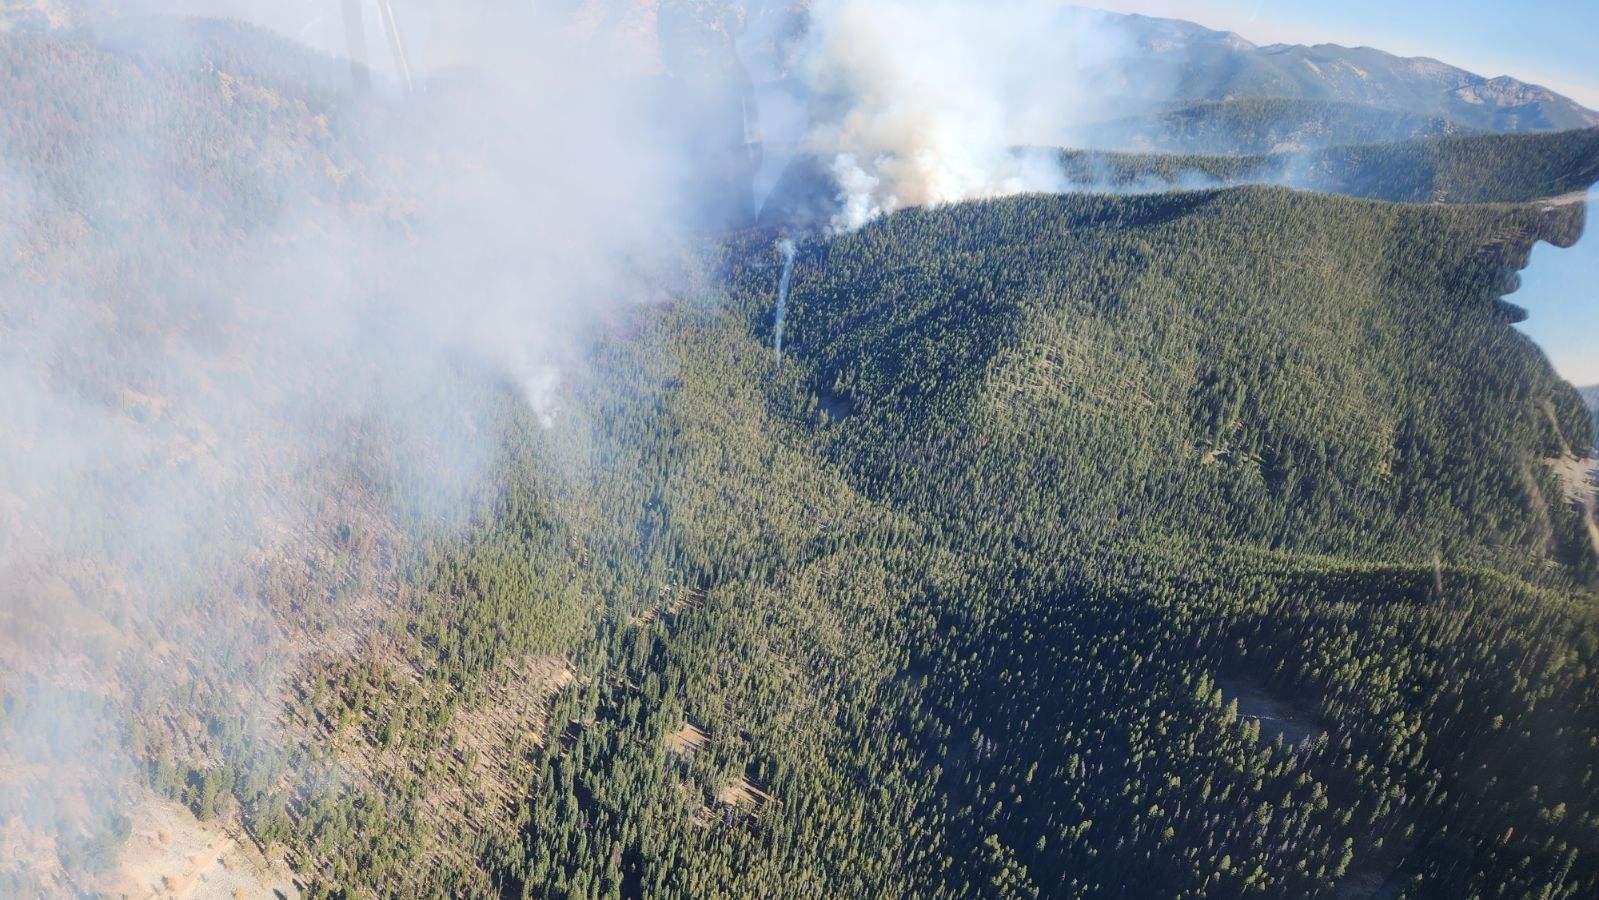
(218, 370)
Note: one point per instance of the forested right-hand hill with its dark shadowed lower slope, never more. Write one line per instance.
(1072, 391)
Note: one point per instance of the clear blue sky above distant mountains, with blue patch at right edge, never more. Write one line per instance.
(1547, 42)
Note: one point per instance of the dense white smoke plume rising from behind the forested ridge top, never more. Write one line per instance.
(936, 102)
